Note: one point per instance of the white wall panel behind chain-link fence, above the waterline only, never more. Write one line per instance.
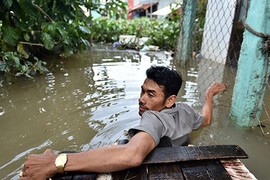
(217, 29)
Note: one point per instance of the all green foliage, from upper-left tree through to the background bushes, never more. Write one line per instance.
(33, 29)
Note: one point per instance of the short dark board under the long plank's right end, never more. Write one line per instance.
(206, 169)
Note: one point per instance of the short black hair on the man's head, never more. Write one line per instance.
(170, 79)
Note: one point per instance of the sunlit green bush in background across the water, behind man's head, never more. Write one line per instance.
(162, 32)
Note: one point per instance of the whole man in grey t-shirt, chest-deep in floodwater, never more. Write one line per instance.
(161, 117)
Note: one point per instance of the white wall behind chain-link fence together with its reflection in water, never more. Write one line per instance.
(215, 45)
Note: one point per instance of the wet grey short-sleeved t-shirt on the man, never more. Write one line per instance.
(175, 123)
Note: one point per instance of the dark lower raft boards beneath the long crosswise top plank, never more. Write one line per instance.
(188, 170)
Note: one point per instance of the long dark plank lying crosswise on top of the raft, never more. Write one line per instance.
(186, 153)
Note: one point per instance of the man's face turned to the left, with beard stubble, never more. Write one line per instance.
(152, 97)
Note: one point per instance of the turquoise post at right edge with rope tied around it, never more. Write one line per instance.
(252, 66)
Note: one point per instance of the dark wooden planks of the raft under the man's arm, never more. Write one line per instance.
(197, 162)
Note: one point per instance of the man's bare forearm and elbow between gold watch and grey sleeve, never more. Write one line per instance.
(114, 158)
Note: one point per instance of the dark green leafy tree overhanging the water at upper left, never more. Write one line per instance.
(32, 29)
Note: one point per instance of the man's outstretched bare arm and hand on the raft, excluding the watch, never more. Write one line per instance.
(105, 159)
